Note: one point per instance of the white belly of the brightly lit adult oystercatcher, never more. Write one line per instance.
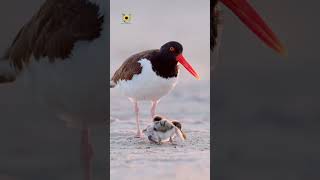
(147, 85)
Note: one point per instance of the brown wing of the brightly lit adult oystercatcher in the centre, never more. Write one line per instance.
(131, 66)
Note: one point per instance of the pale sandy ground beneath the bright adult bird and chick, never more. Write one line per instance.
(133, 158)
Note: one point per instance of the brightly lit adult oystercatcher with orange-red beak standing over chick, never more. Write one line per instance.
(149, 75)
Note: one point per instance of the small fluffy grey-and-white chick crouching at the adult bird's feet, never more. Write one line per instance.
(164, 130)
